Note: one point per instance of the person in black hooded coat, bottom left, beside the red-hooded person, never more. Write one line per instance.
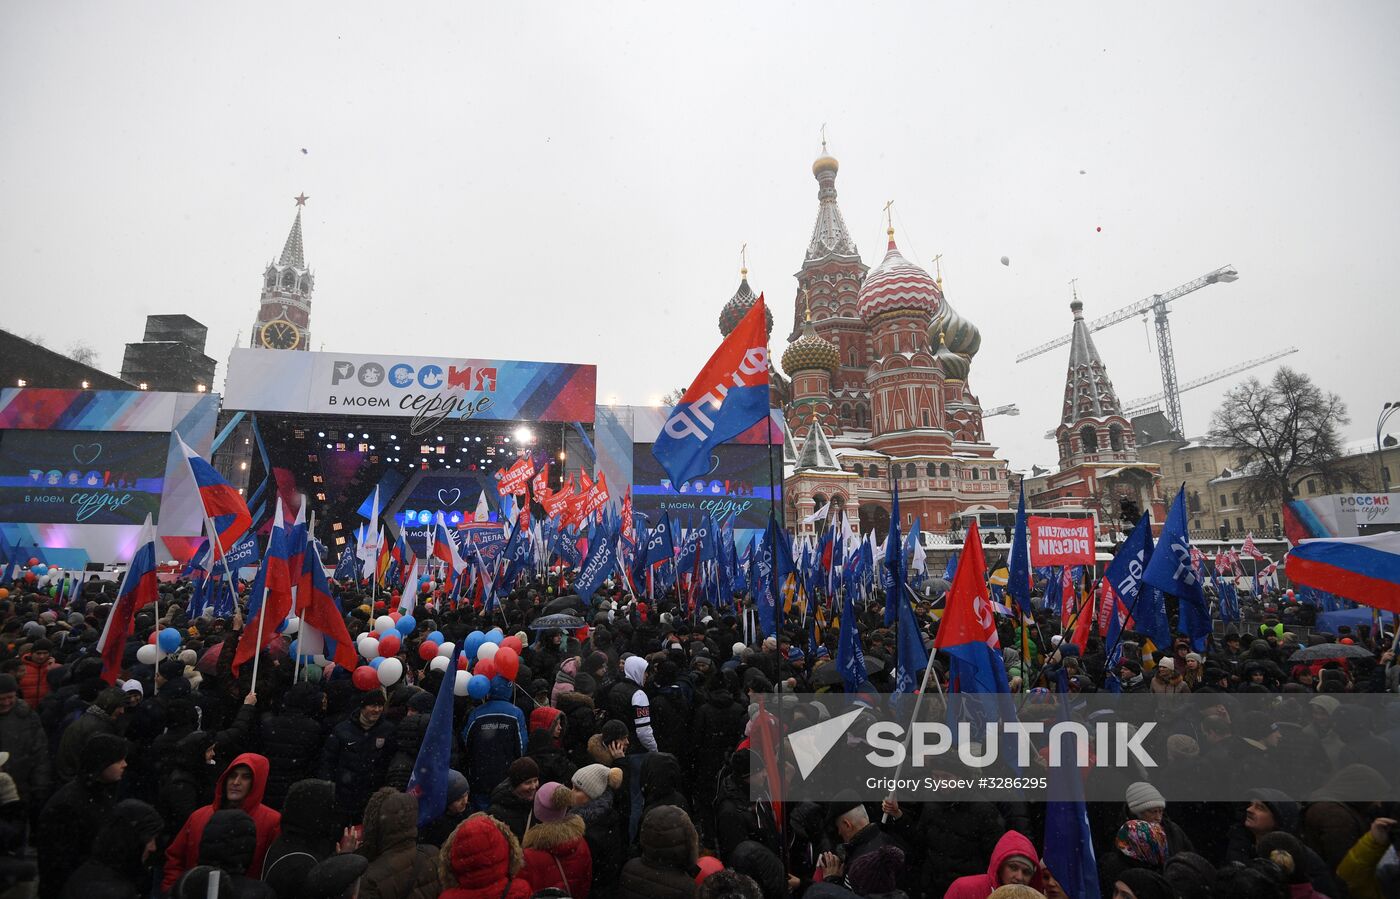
(122, 856)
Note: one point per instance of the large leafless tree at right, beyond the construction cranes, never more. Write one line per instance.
(1283, 433)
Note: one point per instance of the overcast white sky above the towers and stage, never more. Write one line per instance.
(573, 181)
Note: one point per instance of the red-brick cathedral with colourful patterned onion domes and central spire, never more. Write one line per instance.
(877, 389)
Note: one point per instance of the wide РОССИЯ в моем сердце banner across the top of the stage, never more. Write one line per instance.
(425, 390)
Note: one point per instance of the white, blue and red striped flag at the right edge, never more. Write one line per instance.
(1364, 569)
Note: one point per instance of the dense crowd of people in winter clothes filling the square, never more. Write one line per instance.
(618, 764)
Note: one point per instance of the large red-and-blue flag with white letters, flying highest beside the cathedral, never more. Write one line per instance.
(727, 398)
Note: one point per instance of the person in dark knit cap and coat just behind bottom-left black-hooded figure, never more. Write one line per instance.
(75, 814)
